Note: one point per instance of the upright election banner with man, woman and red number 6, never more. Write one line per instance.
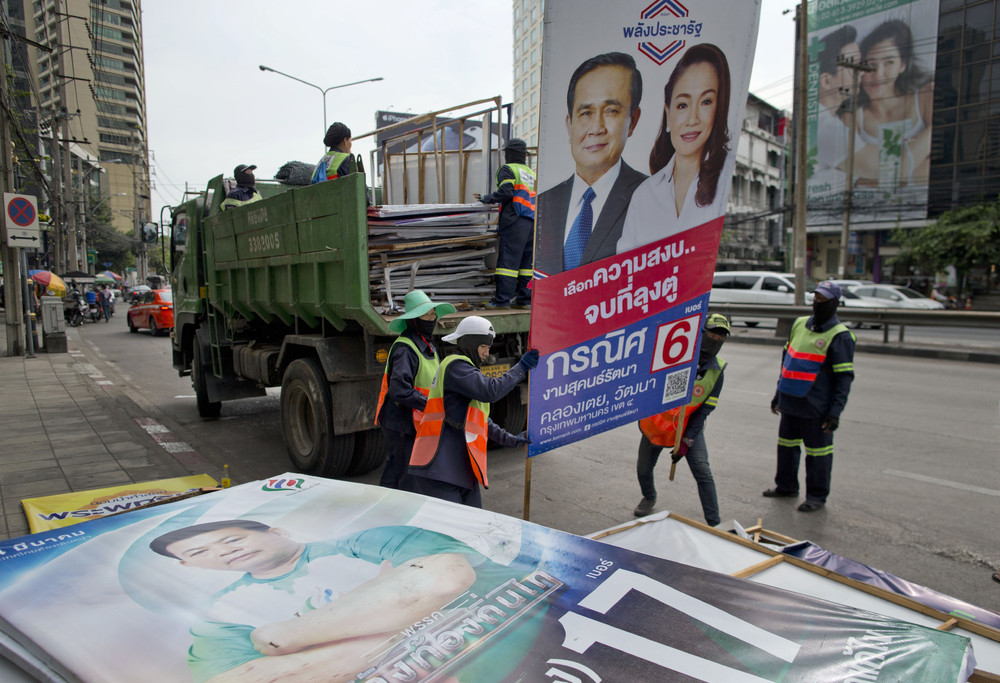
(640, 121)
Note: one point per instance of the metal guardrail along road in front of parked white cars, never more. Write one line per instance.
(886, 317)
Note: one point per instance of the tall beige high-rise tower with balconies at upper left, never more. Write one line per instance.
(91, 89)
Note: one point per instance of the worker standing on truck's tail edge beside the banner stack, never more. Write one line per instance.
(516, 196)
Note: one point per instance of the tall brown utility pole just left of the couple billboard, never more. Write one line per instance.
(801, 141)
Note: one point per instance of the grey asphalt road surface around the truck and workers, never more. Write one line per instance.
(916, 487)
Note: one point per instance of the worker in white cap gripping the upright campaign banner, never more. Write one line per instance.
(449, 454)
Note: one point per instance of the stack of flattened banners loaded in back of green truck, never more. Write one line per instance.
(442, 249)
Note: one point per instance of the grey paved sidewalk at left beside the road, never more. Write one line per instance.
(61, 431)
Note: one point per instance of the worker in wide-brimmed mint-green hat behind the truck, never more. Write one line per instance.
(409, 372)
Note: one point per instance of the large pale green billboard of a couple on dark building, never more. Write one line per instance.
(894, 41)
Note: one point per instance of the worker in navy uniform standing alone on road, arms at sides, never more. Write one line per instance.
(817, 368)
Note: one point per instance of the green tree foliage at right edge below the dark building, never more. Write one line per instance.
(966, 238)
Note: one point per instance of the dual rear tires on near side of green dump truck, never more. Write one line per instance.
(307, 422)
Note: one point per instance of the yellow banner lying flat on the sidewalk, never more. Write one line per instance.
(54, 512)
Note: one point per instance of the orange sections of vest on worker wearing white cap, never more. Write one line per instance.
(425, 446)
